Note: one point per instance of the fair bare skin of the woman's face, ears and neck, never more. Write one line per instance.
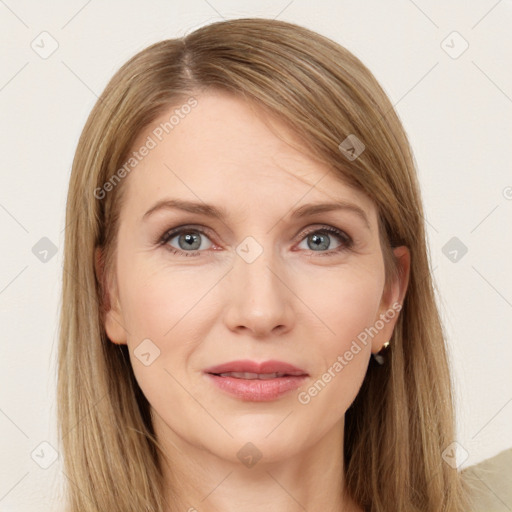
(292, 303)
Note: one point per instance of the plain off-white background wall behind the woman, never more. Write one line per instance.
(456, 106)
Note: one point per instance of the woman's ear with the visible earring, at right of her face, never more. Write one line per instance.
(392, 299)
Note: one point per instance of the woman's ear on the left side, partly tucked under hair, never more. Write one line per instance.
(111, 308)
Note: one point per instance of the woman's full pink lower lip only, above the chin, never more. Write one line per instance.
(257, 390)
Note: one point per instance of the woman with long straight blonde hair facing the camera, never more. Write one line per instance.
(248, 317)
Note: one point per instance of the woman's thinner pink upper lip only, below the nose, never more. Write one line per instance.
(253, 370)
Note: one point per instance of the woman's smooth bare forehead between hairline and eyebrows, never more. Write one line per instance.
(227, 151)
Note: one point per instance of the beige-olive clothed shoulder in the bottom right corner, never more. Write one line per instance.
(489, 483)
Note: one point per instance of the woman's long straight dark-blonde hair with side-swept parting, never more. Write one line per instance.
(402, 419)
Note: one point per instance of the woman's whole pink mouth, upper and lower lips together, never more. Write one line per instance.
(256, 382)
